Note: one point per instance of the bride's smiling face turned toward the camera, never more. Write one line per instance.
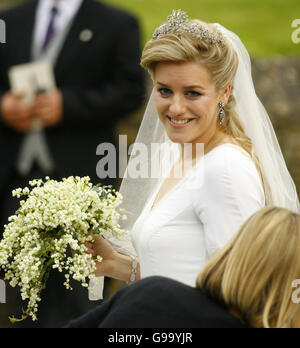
(187, 101)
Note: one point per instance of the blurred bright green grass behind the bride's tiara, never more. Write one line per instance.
(263, 25)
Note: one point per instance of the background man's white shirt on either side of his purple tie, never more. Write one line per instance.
(67, 9)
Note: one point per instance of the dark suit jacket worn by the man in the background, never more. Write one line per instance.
(101, 81)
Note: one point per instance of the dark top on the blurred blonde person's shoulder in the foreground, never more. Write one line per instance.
(158, 302)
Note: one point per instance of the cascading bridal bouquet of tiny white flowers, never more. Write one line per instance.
(54, 216)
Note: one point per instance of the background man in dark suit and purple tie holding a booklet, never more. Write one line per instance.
(96, 65)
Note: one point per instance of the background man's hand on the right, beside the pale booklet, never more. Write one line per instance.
(48, 108)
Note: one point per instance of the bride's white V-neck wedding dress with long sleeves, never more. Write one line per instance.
(188, 225)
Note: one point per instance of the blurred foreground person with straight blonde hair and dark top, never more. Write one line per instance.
(249, 283)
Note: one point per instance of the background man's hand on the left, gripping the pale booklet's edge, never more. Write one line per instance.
(15, 113)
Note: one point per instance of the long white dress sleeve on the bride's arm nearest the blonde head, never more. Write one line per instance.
(231, 193)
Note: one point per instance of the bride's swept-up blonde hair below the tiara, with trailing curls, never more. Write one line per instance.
(221, 61)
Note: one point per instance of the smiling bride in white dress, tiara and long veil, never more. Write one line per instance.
(203, 94)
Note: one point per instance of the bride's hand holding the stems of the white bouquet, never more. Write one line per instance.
(100, 247)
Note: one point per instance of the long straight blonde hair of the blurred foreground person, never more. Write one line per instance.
(254, 273)
